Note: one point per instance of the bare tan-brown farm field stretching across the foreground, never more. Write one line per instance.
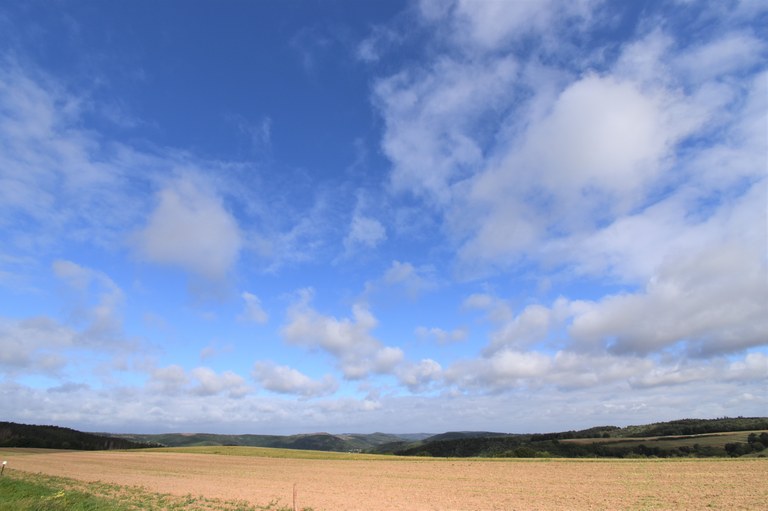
(416, 484)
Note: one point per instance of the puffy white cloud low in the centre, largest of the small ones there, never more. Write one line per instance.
(348, 340)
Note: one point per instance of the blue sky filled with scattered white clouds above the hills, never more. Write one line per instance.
(282, 217)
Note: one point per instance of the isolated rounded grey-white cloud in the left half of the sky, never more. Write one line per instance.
(191, 228)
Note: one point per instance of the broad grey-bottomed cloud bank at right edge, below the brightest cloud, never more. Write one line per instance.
(698, 303)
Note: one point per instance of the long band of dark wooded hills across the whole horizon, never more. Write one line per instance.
(739, 436)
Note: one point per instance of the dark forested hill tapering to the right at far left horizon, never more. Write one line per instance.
(55, 437)
